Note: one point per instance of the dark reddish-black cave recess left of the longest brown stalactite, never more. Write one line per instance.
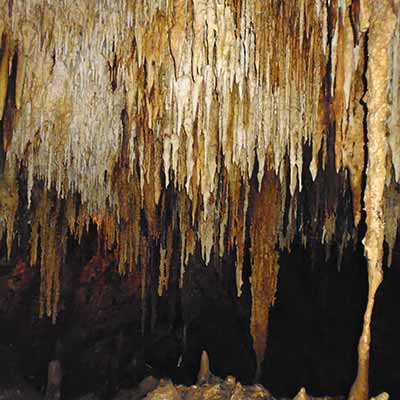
(98, 336)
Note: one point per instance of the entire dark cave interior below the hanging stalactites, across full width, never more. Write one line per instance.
(100, 338)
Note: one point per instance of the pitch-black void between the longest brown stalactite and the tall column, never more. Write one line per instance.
(315, 323)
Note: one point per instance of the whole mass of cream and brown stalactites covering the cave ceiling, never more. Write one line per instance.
(105, 106)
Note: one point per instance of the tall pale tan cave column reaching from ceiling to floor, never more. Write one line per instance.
(379, 18)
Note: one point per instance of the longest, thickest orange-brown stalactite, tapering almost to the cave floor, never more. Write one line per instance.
(264, 233)
